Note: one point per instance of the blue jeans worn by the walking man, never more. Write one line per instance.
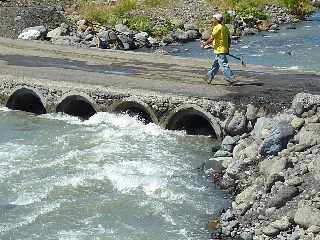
(221, 60)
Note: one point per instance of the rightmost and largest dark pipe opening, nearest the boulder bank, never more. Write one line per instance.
(192, 123)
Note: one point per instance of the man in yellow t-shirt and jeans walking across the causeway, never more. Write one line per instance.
(220, 38)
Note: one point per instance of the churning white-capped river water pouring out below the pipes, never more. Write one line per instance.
(110, 177)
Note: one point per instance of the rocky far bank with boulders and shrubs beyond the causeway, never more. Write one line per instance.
(188, 21)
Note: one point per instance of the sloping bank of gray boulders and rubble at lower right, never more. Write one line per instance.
(271, 165)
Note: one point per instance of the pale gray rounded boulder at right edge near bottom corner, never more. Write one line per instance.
(307, 216)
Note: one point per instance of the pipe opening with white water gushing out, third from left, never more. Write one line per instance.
(135, 110)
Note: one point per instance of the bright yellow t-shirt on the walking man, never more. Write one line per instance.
(221, 35)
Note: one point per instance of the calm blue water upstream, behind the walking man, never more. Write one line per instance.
(289, 48)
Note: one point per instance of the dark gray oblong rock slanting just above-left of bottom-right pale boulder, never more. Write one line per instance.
(285, 194)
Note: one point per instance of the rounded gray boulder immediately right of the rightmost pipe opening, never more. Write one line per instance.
(237, 124)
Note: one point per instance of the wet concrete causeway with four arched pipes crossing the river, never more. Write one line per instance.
(156, 86)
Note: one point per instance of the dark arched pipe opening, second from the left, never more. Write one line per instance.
(76, 106)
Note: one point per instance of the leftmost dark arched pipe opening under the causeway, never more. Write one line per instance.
(26, 100)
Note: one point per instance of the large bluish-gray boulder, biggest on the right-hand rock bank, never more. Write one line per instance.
(278, 139)
